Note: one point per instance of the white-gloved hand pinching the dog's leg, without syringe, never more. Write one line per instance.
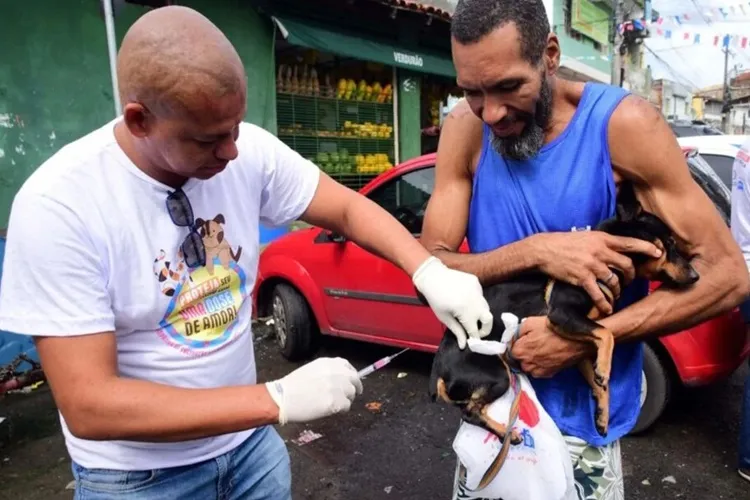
(456, 298)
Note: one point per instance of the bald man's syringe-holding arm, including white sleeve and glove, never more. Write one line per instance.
(54, 287)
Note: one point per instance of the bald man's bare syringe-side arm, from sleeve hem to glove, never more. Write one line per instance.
(97, 404)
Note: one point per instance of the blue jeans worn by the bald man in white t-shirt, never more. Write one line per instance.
(257, 469)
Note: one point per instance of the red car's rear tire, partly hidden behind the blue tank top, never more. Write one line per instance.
(657, 388)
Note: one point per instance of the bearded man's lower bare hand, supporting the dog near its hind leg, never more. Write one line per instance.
(541, 352)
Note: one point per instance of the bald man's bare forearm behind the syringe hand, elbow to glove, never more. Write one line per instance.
(127, 409)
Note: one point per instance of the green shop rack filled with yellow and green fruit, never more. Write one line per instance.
(350, 140)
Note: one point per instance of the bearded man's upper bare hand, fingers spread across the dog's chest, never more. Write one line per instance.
(583, 257)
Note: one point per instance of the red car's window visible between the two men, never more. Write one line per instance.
(406, 197)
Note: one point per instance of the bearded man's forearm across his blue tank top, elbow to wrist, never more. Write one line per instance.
(496, 265)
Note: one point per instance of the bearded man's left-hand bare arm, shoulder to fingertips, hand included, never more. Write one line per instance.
(580, 258)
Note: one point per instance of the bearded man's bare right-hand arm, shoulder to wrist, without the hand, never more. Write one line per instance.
(664, 187)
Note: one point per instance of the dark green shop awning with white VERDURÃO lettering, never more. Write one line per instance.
(338, 42)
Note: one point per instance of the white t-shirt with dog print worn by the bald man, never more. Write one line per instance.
(91, 248)
